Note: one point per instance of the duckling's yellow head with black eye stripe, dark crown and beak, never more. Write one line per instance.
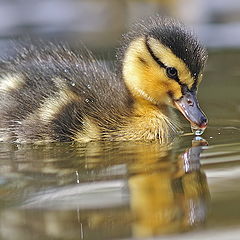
(162, 64)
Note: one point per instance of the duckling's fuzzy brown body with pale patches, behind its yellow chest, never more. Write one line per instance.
(49, 93)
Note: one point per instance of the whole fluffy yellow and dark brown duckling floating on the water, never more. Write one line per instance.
(50, 93)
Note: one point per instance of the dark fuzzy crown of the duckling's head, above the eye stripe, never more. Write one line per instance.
(174, 35)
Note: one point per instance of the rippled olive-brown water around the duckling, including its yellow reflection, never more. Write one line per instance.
(184, 190)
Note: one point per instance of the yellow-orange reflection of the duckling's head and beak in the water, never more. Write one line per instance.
(170, 199)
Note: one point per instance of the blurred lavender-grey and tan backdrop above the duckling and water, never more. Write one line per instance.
(100, 23)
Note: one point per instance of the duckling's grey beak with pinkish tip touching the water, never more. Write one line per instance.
(188, 105)
